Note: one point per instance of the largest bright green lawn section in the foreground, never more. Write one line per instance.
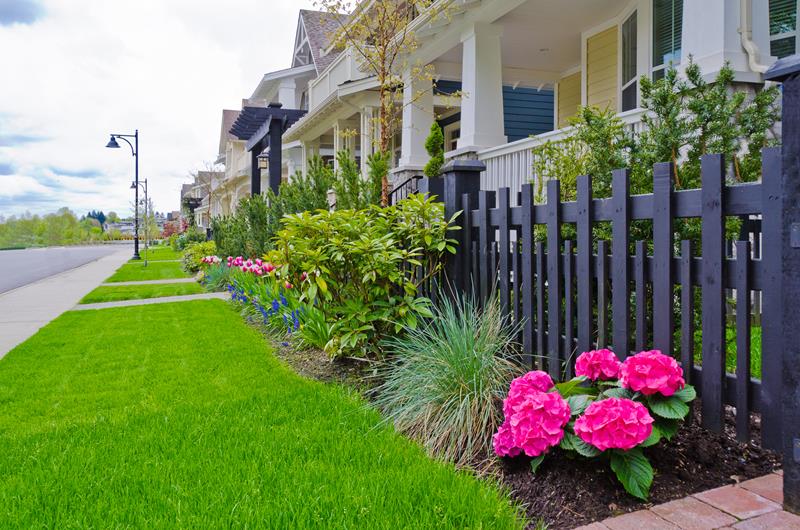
(178, 416)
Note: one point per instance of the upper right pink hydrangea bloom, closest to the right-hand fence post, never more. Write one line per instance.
(651, 372)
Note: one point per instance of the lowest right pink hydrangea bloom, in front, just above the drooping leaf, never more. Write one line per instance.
(614, 423)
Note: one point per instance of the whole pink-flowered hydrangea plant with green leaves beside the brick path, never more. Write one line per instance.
(611, 410)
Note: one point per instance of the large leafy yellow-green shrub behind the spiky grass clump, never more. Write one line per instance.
(354, 260)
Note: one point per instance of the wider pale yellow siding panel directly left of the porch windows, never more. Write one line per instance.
(601, 69)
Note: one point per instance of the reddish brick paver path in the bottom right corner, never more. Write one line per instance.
(751, 505)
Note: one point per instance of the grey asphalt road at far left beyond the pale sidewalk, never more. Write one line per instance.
(21, 267)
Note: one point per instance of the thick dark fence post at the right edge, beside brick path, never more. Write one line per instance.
(787, 70)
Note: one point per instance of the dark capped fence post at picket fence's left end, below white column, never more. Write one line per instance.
(460, 177)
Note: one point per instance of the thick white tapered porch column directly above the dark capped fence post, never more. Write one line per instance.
(482, 123)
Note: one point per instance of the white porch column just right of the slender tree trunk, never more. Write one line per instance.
(417, 121)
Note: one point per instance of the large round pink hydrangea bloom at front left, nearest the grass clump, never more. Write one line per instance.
(537, 422)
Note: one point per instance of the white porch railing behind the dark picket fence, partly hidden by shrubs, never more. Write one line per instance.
(511, 165)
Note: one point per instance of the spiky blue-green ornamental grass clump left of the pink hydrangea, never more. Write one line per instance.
(445, 379)
